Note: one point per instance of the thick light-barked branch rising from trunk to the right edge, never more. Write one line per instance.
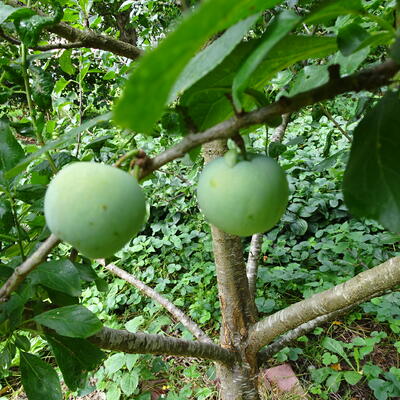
(365, 285)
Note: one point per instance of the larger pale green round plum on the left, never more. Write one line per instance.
(94, 207)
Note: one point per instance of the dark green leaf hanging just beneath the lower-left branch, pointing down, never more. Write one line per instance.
(75, 357)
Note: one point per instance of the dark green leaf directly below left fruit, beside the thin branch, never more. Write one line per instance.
(60, 275)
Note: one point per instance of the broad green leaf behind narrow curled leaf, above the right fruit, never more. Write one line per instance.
(206, 101)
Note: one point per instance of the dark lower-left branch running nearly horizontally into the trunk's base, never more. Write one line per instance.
(144, 343)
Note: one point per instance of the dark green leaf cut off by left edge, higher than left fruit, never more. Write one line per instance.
(11, 151)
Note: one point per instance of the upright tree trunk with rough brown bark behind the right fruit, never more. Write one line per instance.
(238, 382)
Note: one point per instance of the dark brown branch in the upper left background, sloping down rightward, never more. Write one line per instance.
(89, 39)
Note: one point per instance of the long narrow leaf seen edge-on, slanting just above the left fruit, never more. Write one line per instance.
(64, 141)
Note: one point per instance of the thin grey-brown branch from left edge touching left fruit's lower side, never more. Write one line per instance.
(26, 267)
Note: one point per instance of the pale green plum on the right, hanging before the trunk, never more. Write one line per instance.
(249, 197)
